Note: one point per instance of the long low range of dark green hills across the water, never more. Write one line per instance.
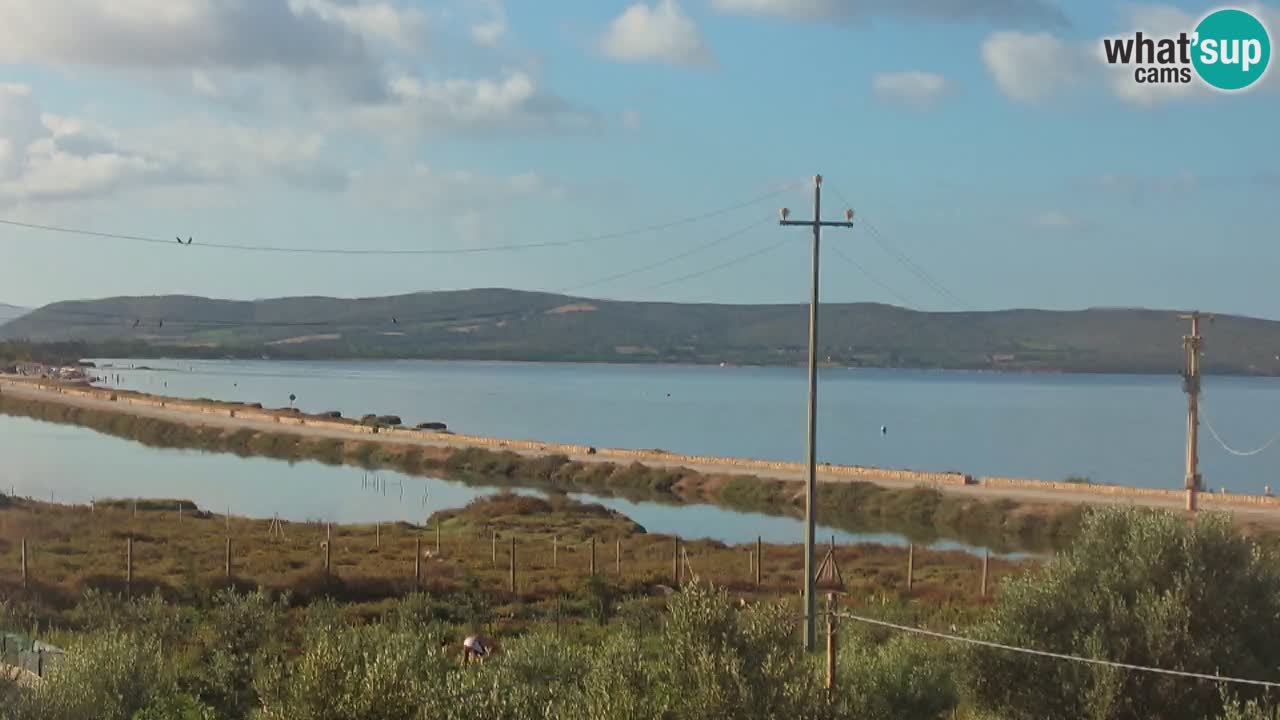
(505, 325)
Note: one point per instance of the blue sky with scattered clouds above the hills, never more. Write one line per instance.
(991, 158)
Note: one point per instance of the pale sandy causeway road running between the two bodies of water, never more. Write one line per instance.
(239, 417)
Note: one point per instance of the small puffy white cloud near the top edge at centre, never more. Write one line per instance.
(661, 34)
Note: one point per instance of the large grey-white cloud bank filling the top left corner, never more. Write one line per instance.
(337, 44)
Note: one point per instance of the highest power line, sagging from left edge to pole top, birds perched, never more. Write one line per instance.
(583, 240)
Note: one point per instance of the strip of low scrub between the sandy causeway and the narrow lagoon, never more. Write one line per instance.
(922, 514)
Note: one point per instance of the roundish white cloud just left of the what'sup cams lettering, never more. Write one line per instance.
(1031, 67)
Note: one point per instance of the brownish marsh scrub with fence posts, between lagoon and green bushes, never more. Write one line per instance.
(76, 549)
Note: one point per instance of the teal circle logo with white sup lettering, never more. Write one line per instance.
(1232, 49)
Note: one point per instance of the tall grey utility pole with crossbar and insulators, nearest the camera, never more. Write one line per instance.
(812, 448)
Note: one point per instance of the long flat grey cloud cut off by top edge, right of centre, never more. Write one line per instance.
(1021, 12)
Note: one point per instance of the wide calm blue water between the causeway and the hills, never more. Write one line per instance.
(1122, 430)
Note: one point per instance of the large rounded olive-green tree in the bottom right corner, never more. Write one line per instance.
(1142, 589)
